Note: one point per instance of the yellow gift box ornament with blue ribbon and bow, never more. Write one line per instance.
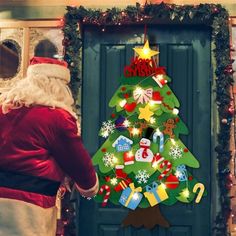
(155, 194)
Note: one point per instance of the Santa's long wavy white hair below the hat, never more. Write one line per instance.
(37, 89)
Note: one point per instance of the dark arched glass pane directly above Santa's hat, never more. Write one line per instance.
(45, 48)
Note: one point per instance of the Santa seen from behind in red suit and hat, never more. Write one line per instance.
(39, 146)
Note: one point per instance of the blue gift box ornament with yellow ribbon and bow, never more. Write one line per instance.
(131, 197)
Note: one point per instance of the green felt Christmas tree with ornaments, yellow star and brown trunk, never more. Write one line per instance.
(143, 162)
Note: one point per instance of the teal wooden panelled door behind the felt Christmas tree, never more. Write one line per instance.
(185, 51)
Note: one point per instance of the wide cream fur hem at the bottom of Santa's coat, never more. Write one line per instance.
(18, 218)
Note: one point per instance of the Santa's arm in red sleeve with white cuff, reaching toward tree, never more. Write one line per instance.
(73, 158)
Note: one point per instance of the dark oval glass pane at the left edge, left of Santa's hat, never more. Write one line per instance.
(9, 58)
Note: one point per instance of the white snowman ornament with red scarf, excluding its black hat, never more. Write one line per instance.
(144, 154)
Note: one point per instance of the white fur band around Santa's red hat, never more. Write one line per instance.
(50, 70)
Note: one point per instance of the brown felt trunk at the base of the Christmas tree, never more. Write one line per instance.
(146, 217)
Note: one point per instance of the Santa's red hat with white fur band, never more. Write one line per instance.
(49, 67)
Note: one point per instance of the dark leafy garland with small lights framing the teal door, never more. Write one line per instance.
(212, 15)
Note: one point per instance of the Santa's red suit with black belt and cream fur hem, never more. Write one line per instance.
(38, 147)
